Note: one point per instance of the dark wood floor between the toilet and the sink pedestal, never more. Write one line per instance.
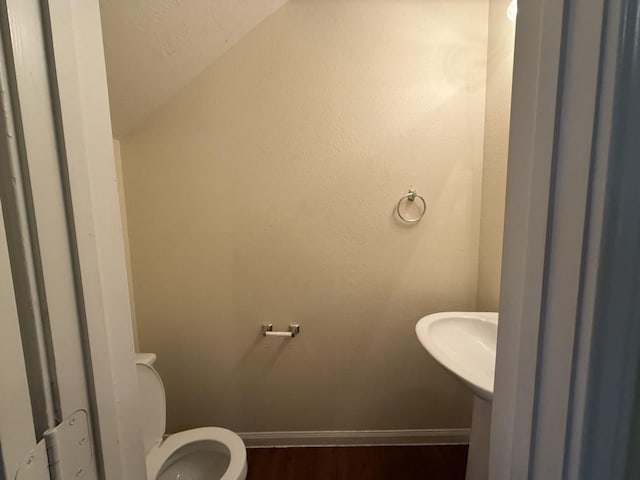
(358, 463)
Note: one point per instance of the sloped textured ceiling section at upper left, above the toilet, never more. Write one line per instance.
(153, 48)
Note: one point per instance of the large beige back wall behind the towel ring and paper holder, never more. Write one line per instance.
(264, 192)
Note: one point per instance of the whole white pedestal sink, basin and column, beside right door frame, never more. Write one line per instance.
(464, 343)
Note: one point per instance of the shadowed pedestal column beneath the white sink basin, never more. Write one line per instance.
(478, 457)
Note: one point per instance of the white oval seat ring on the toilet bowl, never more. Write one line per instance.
(161, 455)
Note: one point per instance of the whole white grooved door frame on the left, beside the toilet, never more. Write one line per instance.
(66, 157)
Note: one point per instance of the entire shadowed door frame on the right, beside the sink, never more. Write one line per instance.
(571, 219)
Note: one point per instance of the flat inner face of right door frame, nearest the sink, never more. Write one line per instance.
(529, 181)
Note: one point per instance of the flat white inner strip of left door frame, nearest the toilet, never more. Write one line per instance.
(76, 41)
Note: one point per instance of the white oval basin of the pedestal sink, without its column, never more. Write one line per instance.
(465, 344)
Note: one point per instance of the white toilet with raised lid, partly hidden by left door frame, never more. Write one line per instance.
(207, 453)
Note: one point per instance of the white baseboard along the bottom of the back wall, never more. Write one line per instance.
(343, 438)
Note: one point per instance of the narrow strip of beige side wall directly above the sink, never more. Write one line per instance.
(496, 143)
